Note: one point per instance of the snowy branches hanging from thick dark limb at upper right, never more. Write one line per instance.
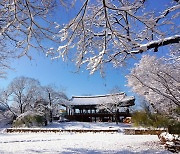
(112, 31)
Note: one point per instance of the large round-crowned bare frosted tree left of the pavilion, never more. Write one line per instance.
(23, 92)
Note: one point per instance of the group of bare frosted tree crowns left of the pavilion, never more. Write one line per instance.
(23, 93)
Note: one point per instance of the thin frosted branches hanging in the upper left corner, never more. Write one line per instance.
(24, 24)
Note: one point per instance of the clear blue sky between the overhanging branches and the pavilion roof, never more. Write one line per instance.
(63, 74)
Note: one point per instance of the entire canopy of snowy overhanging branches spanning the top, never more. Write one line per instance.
(102, 32)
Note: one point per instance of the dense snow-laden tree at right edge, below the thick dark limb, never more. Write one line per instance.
(158, 80)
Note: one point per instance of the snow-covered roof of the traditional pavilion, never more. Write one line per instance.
(102, 99)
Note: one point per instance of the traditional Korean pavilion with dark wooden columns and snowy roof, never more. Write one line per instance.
(97, 108)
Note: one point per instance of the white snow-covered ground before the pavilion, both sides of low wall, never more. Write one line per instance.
(90, 143)
